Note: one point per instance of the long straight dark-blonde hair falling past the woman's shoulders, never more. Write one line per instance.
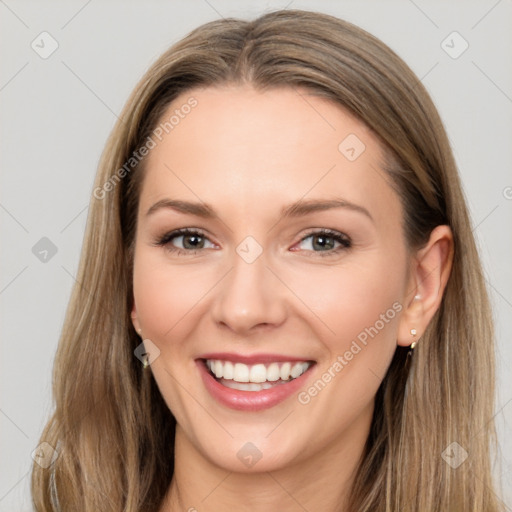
(112, 430)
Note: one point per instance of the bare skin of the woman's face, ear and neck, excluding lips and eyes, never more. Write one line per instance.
(249, 154)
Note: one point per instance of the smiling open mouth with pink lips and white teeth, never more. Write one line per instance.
(252, 387)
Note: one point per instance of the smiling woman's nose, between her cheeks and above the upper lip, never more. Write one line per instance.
(250, 297)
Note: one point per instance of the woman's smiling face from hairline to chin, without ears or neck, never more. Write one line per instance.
(269, 247)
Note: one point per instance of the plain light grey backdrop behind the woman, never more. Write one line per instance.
(57, 113)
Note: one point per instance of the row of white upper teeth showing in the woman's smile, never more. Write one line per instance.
(240, 372)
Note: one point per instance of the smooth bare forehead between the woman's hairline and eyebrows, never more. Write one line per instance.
(238, 145)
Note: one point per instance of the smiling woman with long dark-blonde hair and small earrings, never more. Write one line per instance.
(283, 306)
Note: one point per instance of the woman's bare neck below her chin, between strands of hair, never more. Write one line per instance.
(318, 483)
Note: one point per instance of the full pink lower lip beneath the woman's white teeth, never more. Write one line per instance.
(250, 400)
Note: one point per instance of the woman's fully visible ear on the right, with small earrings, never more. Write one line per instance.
(429, 273)
